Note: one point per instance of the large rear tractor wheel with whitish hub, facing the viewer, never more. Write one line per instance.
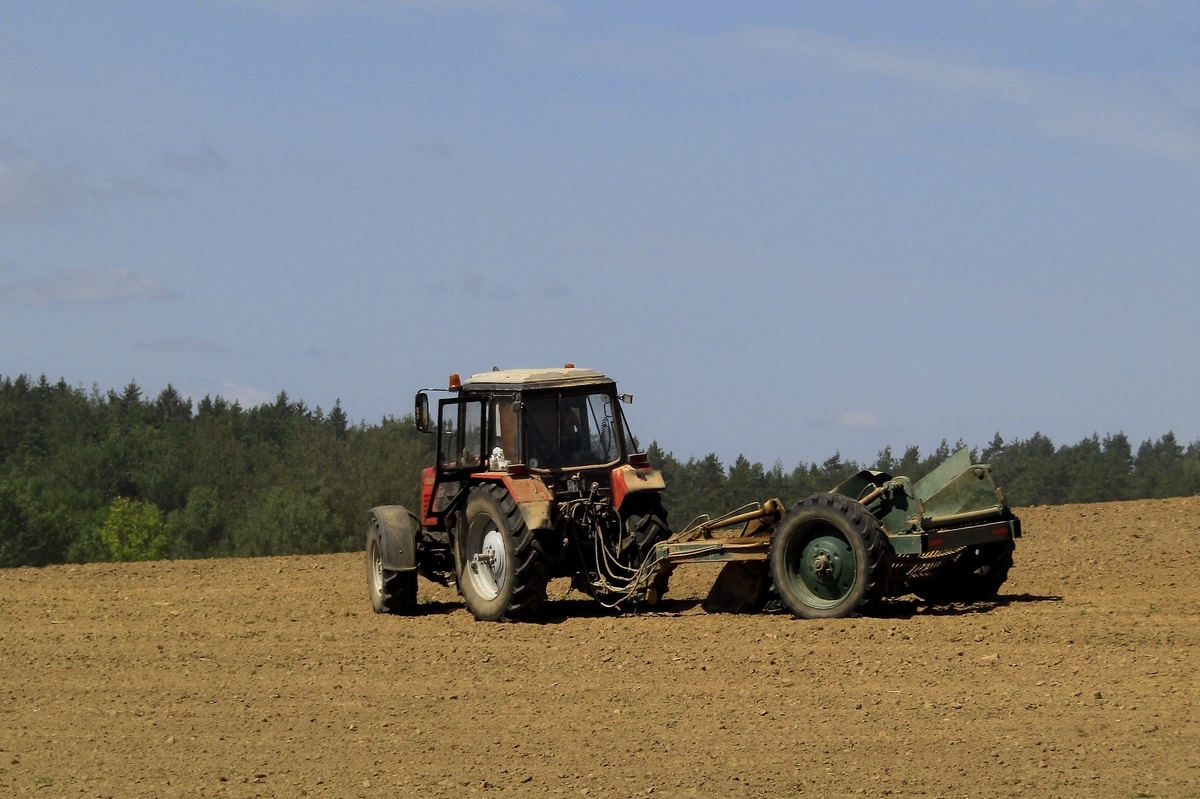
(502, 568)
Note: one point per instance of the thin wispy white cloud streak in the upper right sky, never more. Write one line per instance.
(886, 87)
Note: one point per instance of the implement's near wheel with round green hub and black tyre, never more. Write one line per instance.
(830, 558)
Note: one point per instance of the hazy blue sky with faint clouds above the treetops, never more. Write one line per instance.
(789, 230)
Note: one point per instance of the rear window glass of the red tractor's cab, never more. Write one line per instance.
(572, 430)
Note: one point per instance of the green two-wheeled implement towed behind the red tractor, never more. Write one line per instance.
(949, 538)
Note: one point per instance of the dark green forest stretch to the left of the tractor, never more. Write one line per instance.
(121, 477)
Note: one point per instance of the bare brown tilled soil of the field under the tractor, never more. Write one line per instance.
(273, 678)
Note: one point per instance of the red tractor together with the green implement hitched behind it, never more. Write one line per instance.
(537, 477)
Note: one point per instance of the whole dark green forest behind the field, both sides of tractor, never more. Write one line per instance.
(91, 476)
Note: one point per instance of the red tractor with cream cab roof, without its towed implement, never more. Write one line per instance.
(537, 477)
